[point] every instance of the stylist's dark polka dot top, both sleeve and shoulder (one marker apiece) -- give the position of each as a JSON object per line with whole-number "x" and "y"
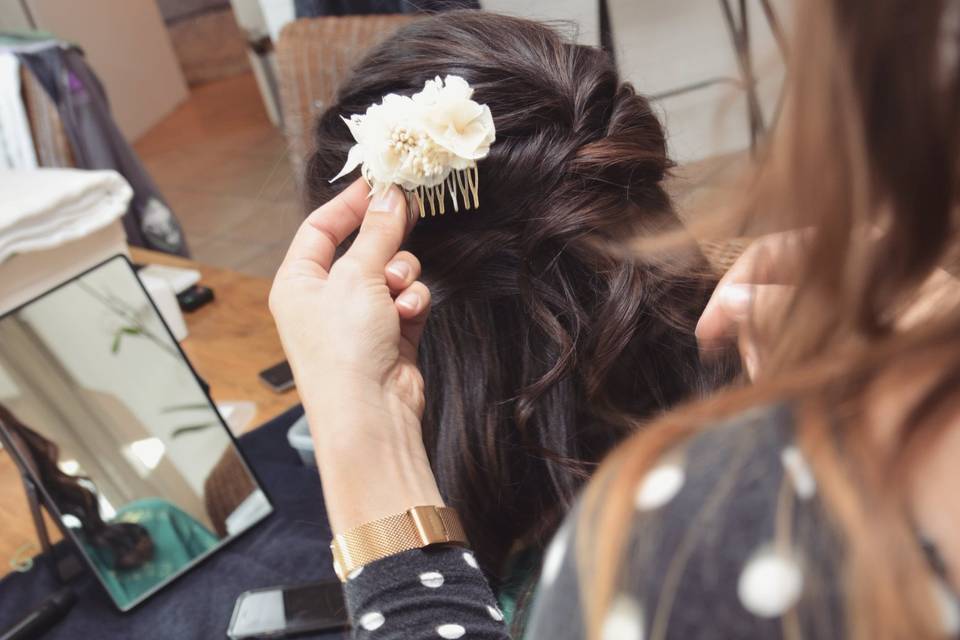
{"x": 729, "y": 541}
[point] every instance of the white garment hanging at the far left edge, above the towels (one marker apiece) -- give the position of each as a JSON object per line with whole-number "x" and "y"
{"x": 16, "y": 140}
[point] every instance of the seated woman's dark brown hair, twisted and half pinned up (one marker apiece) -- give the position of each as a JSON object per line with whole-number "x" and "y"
{"x": 543, "y": 349}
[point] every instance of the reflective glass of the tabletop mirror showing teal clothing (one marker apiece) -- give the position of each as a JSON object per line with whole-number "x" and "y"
{"x": 101, "y": 406}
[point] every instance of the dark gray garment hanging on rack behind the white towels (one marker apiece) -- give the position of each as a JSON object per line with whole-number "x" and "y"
{"x": 98, "y": 144}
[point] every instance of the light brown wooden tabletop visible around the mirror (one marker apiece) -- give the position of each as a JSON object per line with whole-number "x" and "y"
{"x": 230, "y": 340}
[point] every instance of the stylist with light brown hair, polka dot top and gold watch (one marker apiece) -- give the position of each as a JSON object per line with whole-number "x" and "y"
{"x": 816, "y": 503}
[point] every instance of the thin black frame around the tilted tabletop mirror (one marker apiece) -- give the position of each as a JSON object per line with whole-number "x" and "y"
{"x": 51, "y": 506}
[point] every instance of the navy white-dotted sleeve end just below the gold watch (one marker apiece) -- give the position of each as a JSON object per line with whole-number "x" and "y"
{"x": 424, "y": 593}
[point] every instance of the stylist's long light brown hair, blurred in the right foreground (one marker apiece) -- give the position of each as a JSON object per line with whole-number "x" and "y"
{"x": 866, "y": 164}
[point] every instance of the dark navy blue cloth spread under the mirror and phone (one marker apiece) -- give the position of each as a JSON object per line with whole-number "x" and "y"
{"x": 290, "y": 547}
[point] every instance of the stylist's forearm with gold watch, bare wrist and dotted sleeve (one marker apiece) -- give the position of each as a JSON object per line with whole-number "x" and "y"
{"x": 373, "y": 465}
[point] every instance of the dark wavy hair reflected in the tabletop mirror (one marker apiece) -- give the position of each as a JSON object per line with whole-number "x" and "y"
{"x": 128, "y": 544}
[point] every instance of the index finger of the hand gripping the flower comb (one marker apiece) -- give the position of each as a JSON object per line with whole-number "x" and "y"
{"x": 318, "y": 237}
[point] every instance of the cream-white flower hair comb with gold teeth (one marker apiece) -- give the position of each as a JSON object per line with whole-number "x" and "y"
{"x": 428, "y": 144}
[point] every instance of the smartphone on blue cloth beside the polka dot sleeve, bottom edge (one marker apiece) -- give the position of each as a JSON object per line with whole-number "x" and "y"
{"x": 281, "y": 612}
